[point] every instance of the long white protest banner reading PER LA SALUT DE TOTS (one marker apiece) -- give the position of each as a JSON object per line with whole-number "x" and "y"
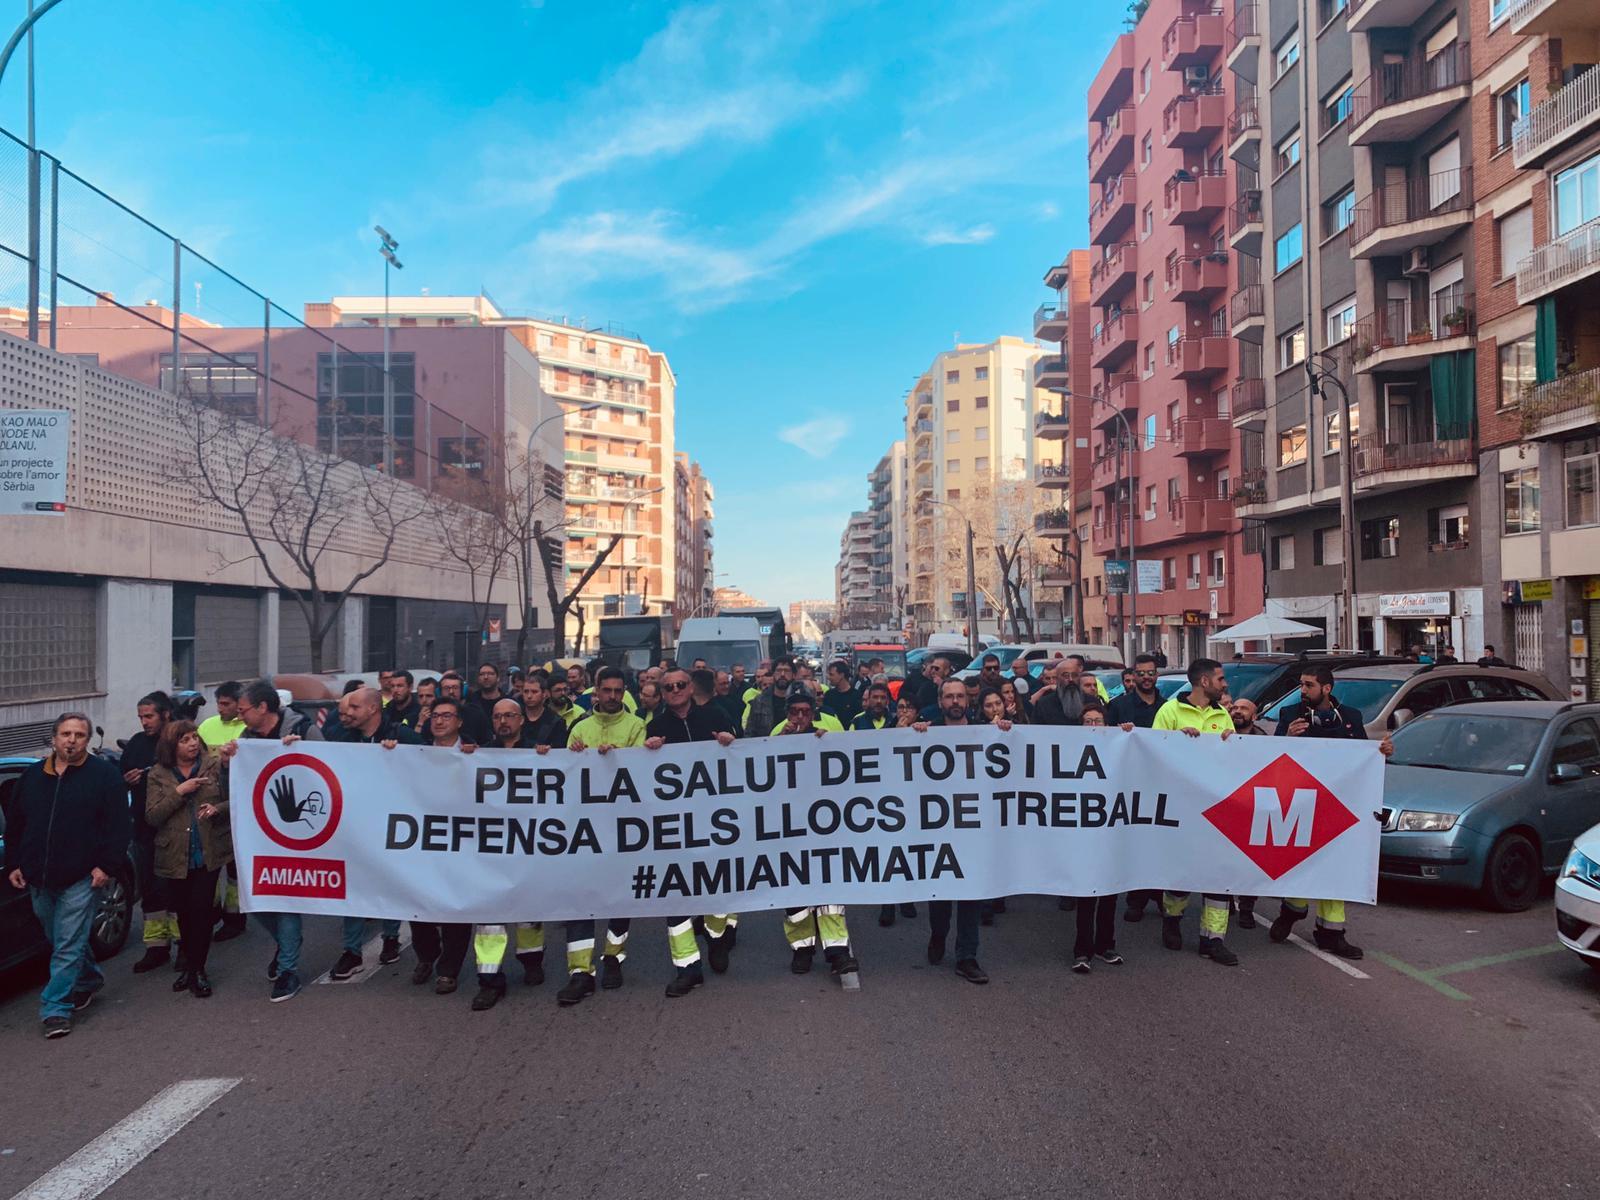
{"x": 866, "y": 818}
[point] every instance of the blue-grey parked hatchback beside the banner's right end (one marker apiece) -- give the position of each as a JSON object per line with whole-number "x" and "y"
{"x": 1490, "y": 796}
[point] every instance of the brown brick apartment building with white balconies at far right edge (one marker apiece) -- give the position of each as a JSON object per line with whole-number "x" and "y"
{"x": 1537, "y": 142}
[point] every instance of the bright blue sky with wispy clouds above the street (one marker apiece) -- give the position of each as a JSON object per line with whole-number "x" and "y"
{"x": 799, "y": 202}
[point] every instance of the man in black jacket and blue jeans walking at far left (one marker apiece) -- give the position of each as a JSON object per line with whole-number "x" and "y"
{"x": 66, "y": 836}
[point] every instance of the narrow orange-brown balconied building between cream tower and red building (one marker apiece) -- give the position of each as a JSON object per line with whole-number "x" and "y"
{"x": 1070, "y": 566}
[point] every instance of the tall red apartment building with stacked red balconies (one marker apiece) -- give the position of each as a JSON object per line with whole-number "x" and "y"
{"x": 1164, "y": 462}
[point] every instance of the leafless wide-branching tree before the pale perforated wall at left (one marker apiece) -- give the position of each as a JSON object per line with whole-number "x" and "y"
{"x": 318, "y": 526}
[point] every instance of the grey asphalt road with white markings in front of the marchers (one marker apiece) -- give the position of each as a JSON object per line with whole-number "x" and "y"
{"x": 1457, "y": 1066}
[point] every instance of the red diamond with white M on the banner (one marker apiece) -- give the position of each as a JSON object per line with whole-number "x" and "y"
{"x": 1281, "y": 817}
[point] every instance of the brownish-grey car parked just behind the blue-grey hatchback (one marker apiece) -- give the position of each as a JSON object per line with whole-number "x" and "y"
{"x": 1393, "y": 694}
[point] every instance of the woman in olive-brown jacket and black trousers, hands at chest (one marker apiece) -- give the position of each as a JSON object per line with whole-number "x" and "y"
{"x": 193, "y": 841}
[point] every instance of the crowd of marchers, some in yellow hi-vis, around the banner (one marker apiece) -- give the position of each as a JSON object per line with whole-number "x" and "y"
{"x": 71, "y": 822}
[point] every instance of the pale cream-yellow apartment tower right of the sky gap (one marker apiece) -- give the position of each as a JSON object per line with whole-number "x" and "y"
{"x": 972, "y": 454}
